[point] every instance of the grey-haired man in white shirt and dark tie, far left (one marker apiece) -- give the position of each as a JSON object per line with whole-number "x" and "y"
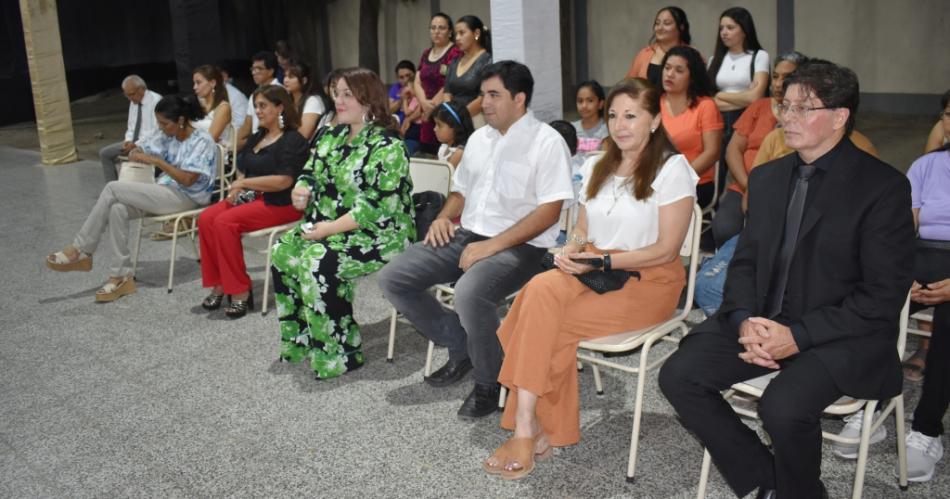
{"x": 141, "y": 124}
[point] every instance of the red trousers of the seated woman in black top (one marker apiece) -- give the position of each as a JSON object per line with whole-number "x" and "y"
{"x": 219, "y": 232}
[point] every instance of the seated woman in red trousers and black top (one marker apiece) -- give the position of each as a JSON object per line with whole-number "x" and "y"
{"x": 267, "y": 166}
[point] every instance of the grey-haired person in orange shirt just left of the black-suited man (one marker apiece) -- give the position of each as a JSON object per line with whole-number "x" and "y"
{"x": 760, "y": 118}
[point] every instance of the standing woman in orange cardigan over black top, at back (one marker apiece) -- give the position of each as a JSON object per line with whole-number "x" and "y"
{"x": 670, "y": 28}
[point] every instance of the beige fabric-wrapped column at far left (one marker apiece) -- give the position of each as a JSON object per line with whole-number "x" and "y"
{"x": 44, "y": 52}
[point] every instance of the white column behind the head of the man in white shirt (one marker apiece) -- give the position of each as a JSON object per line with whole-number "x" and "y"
{"x": 528, "y": 31}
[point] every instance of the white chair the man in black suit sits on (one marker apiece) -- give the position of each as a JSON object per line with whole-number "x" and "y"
{"x": 844, "y": 406}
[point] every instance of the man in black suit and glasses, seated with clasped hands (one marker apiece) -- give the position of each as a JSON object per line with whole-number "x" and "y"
{"x": 815, "y": 289}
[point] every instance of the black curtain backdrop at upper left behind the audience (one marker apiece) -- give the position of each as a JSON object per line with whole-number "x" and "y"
{"x": 162, "y": 41}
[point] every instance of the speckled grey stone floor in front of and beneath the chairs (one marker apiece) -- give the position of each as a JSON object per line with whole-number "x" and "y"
{"x": 152, "y": 397}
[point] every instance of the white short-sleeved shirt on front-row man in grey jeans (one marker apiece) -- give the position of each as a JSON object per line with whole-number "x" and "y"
{"x": 505, "y": 177}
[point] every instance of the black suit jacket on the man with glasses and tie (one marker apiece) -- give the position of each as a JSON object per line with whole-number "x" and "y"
{"x": 850, "y": 272}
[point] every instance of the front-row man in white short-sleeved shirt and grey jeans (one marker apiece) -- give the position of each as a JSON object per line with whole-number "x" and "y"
{"x": 508, "y": 189}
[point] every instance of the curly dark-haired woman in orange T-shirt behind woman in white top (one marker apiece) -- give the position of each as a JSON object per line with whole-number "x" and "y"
{"x": 690, "y": 116}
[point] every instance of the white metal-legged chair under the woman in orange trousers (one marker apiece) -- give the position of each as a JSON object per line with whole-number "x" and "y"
{"x": 644, "y": 339}
